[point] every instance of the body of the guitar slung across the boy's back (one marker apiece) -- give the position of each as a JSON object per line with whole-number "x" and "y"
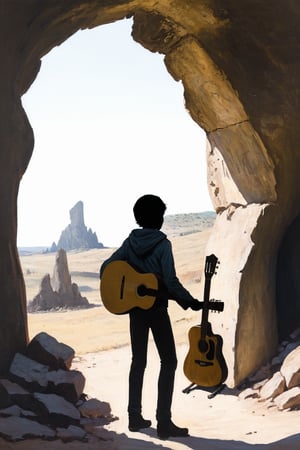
{"x": 119, "y": 288}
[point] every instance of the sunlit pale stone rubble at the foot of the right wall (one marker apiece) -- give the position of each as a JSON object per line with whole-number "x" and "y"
{"x": 278, "y": 382}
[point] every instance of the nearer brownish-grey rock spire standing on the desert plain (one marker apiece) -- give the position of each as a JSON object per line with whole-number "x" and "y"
{"x": 62, "y": 293}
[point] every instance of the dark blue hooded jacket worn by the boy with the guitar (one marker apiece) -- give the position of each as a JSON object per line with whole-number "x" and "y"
{"x": 149, "y": 251}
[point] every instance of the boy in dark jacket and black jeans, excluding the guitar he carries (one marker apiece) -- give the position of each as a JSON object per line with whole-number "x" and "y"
{"x": 148, "y": 250}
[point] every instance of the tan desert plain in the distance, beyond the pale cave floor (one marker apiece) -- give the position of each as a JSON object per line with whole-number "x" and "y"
{"x": 98, "y": 330}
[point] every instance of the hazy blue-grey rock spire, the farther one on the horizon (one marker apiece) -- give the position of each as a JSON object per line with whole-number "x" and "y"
{"x": 76, "y": 235}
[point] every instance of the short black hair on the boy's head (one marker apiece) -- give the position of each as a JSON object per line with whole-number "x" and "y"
{"x": 149, "y": 211}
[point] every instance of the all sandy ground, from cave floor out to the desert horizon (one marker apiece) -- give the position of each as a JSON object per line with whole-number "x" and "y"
{"x": 101, "y": 343}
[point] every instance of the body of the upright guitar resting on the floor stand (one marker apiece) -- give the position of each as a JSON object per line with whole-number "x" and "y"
{"x": 204, "y": 364}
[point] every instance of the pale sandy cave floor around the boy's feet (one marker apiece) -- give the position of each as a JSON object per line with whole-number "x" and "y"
{"x": 224, "y": 422}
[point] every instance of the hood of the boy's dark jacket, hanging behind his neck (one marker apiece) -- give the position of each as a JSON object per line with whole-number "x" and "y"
{"x": 143, "y": 240}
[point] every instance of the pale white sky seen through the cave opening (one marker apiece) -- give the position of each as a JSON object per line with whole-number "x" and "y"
{"x": 110, "y": 125}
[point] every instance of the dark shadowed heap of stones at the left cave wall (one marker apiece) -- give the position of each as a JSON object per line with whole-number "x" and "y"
{"x": 43, "y": 397}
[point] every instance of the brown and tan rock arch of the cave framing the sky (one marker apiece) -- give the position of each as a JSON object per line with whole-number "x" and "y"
{"x": 240, "y": 69}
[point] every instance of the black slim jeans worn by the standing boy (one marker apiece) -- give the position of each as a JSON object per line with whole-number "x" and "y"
{"x": 157, "y": 320}
